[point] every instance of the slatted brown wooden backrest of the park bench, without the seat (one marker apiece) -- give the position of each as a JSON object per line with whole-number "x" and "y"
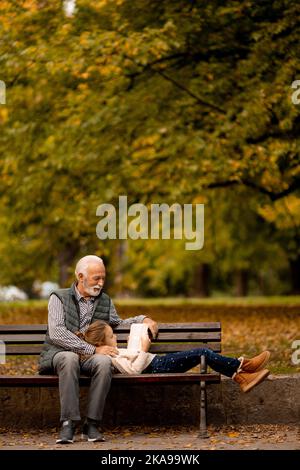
{"x": 172, "y": 337}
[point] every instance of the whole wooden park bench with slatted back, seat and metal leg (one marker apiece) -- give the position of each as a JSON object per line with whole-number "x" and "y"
{"x": 172, "y": 337}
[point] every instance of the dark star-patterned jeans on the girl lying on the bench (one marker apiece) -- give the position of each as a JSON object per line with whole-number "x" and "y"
{"x": 184, "y": 360}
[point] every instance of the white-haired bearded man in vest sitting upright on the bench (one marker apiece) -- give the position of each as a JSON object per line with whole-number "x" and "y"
{"x": 69, "y": 311}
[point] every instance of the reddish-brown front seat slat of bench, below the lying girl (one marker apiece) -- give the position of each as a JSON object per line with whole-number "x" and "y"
{"x": 50, "y": 380}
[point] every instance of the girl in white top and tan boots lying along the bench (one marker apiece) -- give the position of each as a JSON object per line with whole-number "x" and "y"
{"x": 246, "y": 372}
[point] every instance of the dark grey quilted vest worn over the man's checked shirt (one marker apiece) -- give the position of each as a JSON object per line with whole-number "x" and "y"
{"x": 71, "y": 310}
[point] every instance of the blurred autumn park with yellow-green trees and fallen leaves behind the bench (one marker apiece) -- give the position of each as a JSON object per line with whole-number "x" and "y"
{"x": 165, "y": 102}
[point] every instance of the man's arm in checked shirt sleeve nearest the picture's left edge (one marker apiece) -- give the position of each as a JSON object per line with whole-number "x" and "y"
{"x": 58, "y": 332}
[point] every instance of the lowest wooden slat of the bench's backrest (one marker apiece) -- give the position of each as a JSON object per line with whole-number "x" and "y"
{"x": 30, "y": 350}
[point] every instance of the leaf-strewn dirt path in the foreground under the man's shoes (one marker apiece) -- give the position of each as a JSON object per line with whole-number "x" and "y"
{"x": 238, "y": 437}
